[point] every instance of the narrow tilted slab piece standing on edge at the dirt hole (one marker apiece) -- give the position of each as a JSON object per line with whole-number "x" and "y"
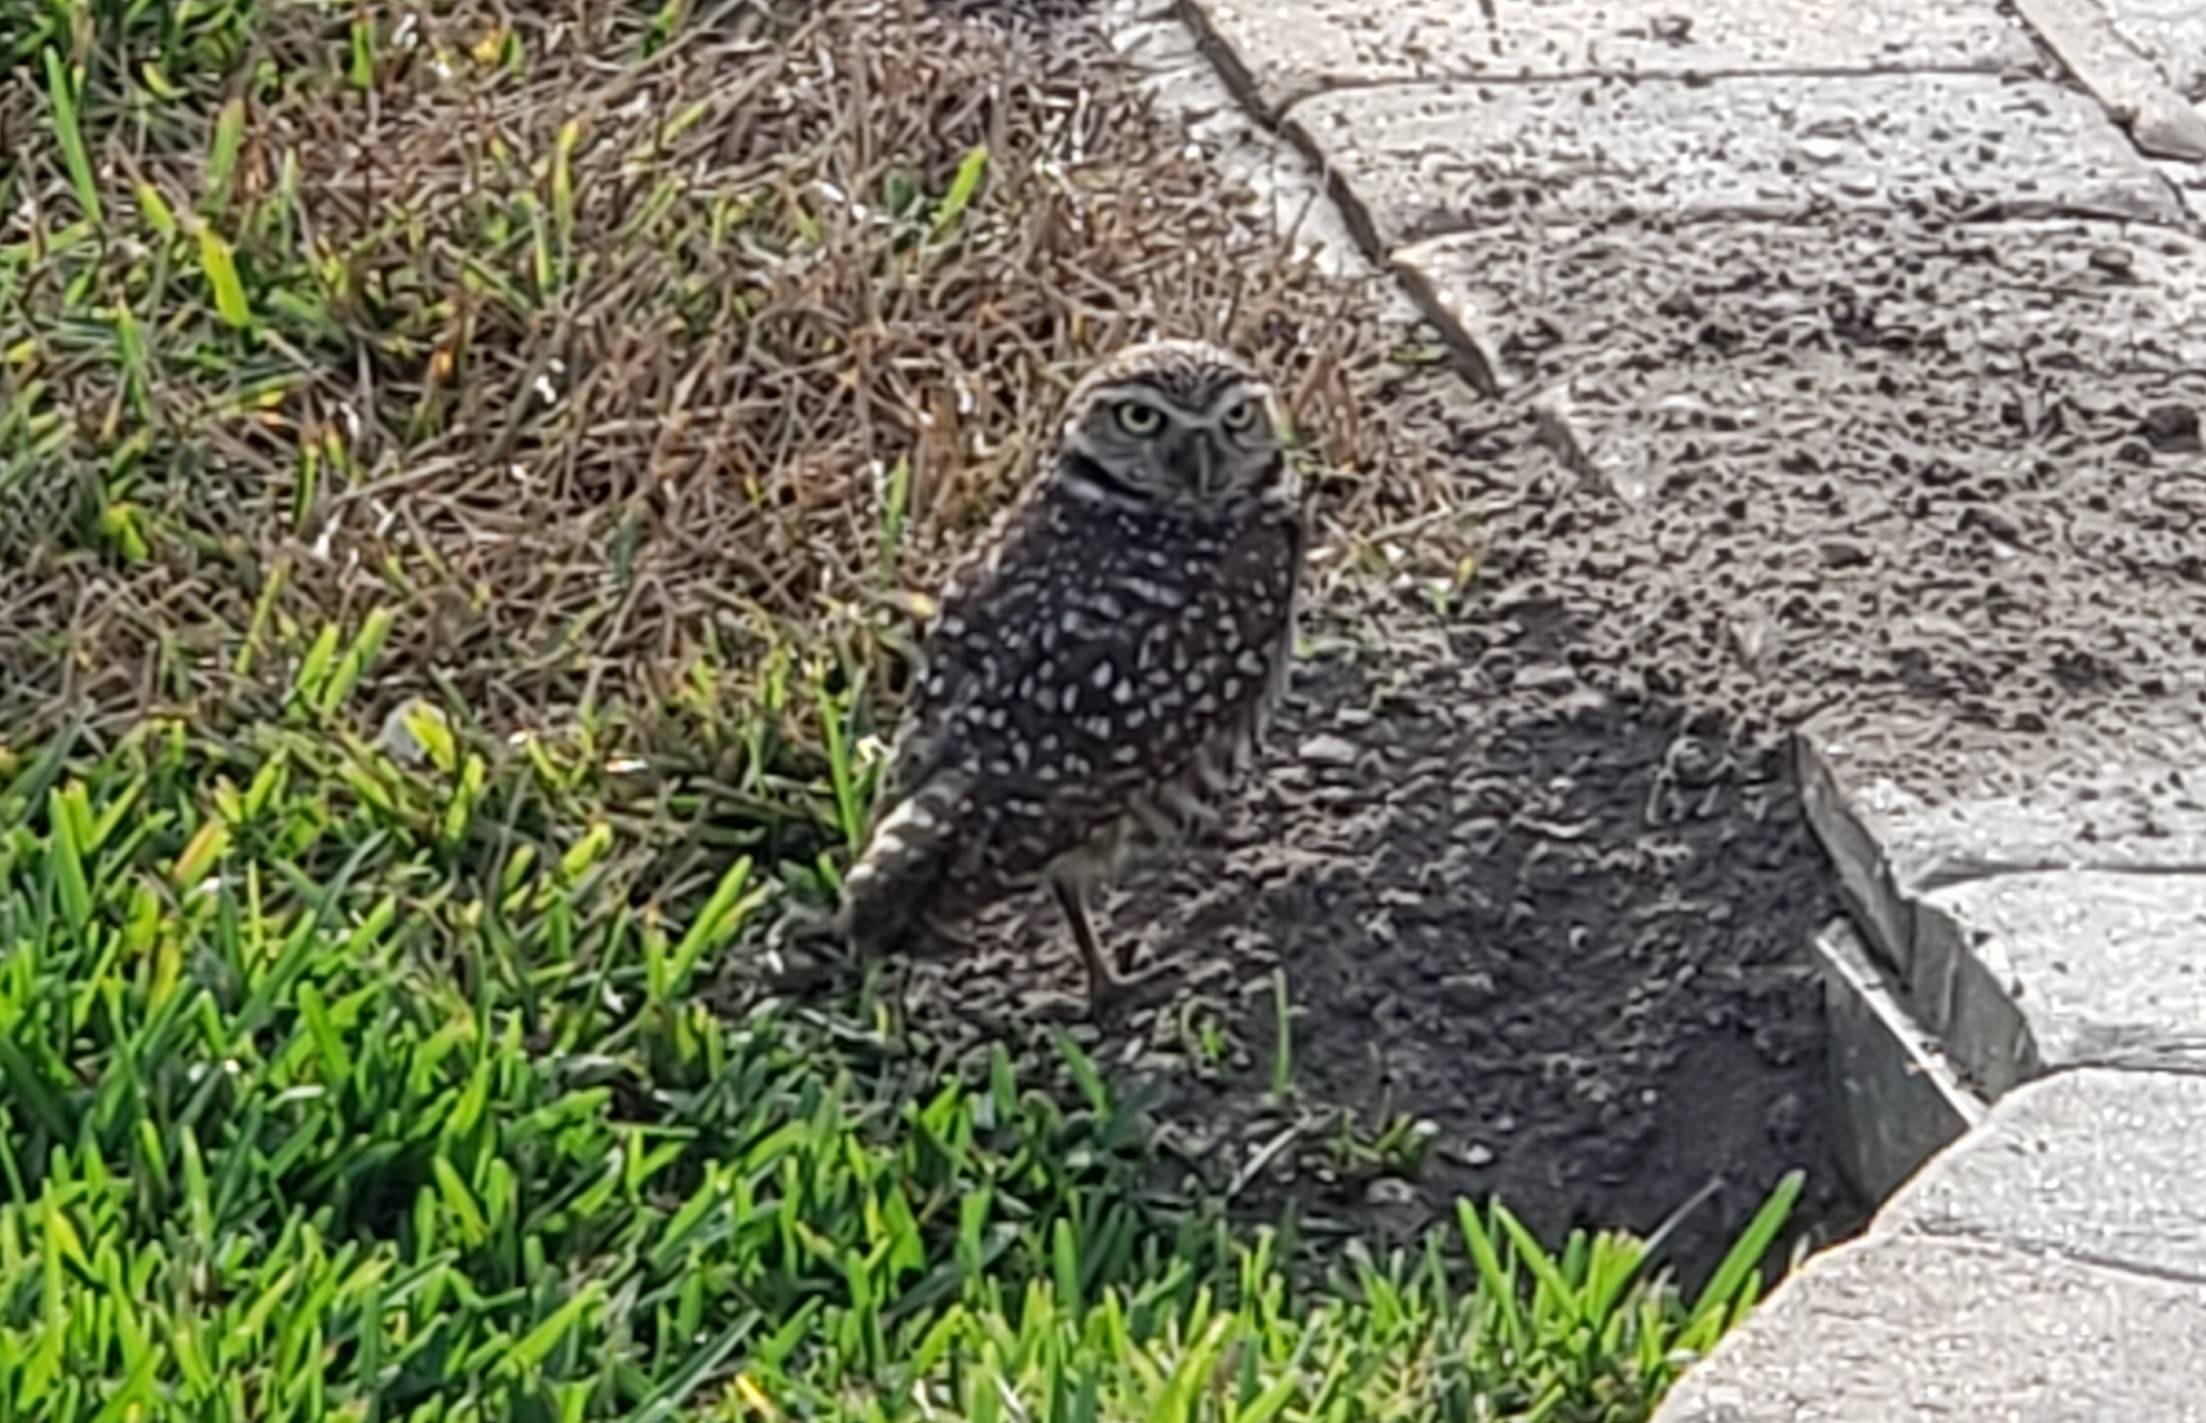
{"x": 1898, "y": 1102}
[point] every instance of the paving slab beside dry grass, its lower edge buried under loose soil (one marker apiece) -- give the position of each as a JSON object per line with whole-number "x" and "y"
{"x": 2004, "y": 297}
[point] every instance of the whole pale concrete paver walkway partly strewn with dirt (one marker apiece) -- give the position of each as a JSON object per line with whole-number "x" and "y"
{"x": 2020, "y": 1007}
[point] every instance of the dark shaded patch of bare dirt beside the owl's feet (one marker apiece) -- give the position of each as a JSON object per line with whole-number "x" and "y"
{"x": 1561, "y": 928}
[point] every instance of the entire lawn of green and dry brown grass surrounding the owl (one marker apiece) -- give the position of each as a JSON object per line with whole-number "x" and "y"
{"x": 396, "y": 760}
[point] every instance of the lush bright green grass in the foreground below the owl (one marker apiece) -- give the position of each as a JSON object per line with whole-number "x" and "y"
{"x": 308, "y": 1115}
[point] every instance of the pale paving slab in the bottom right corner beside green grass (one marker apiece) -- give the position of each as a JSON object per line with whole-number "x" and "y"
{"x": 1900, "y": 1327}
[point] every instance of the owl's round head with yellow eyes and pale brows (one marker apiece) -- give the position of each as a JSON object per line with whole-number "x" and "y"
{"x": 1175, "y": 420}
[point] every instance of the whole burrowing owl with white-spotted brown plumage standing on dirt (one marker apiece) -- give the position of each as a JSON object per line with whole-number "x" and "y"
{"x": 1100, "y": 672}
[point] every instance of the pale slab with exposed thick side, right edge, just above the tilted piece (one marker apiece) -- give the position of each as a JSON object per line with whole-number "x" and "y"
{"x": 2059, "y": 970}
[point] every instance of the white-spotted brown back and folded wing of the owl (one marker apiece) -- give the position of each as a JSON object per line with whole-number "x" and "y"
{"x": 1073, "y": 674}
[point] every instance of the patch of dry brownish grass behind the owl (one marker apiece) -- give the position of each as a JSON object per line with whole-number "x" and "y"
{"x": 597, "y": 352}
